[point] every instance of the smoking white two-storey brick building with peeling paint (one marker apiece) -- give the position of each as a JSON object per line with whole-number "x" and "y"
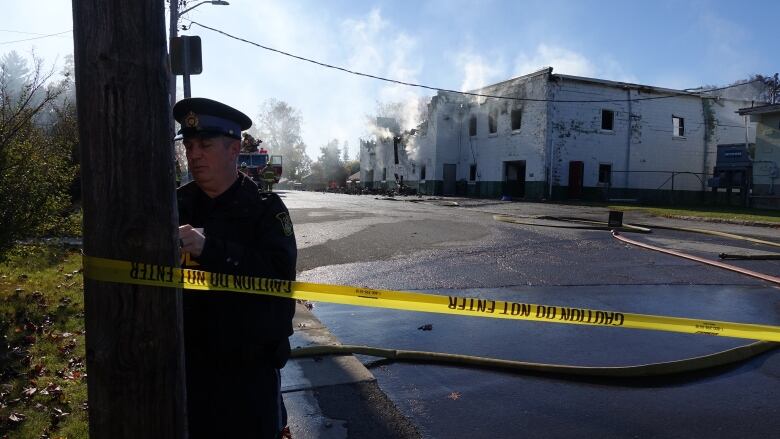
{"x": 562, "y": 137}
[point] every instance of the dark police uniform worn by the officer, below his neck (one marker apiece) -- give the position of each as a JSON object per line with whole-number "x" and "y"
{"x": 236, "y": 343}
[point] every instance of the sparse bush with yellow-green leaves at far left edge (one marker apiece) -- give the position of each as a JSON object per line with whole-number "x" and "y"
{"x": 36, "y": 154}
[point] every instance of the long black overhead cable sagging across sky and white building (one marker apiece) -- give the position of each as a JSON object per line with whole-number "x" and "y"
{"x": 427, "y": 87}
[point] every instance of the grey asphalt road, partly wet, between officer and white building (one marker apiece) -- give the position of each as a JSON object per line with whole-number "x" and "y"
{"x": 435, "y": 246}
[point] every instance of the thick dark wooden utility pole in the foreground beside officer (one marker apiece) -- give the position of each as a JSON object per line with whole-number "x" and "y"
{"x": 135, "y": 362}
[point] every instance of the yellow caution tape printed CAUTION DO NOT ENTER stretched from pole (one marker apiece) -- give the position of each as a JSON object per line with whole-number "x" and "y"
{"x": 137, "y": 273}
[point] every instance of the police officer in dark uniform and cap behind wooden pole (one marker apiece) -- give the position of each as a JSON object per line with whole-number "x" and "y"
{"x": 235, "y": 343}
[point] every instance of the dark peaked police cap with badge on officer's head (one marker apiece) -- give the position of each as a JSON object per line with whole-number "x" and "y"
{"x": 206, "y": 117}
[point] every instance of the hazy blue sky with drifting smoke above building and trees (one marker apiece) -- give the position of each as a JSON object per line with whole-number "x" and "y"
{"x": 446, "y": 43}
